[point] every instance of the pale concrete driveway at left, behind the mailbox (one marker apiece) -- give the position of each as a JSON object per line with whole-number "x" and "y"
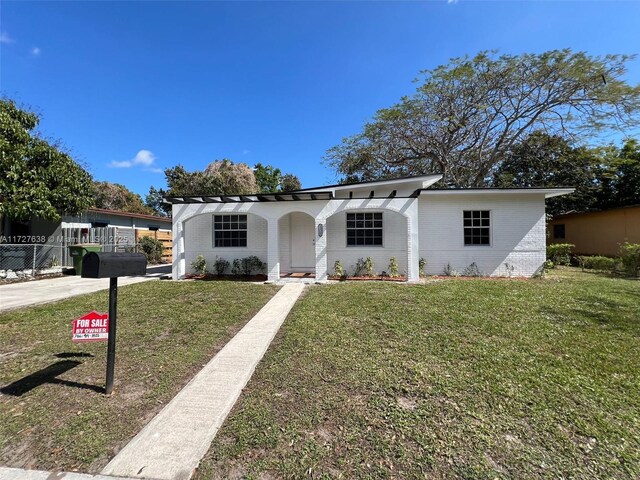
{"x": 35, "y": 292}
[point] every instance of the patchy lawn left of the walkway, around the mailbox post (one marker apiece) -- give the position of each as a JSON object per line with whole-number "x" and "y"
{"x": 166, "y": 332}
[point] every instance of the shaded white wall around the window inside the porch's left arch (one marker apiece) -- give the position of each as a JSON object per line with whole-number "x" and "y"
{"x": 199, "y": 241}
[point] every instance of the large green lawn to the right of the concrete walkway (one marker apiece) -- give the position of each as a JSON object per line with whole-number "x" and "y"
{"x": 452, "y": 379}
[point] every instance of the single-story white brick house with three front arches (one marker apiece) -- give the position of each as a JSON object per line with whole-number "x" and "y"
{"x": 501, "y": 230}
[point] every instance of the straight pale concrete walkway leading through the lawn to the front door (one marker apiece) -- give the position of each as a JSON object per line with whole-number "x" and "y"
{"x": 171, "y": 446}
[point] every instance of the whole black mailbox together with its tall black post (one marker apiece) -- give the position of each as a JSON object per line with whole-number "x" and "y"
{"x": 112, "y": 266}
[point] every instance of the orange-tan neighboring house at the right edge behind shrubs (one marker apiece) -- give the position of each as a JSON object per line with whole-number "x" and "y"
{"x": 597, "y": 233}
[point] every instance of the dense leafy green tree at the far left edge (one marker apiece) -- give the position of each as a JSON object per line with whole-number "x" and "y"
{"x": 37, "y": 178}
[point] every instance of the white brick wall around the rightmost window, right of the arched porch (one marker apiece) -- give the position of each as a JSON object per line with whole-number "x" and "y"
{"x": 517, "y": 230}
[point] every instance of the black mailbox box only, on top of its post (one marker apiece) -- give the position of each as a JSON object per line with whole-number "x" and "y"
{"x": 110, "y": 265}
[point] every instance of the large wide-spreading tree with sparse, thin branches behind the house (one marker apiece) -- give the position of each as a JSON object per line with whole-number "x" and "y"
{"x": 465, "y": 116}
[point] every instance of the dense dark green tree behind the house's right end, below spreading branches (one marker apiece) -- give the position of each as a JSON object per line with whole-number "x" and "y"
{"x": 543, "y": 160}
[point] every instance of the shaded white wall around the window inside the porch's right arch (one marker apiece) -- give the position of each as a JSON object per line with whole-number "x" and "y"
{"x": 394, "y": 243}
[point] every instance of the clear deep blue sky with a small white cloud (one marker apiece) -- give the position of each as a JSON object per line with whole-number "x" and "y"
{"x": 134, "y": 87}
